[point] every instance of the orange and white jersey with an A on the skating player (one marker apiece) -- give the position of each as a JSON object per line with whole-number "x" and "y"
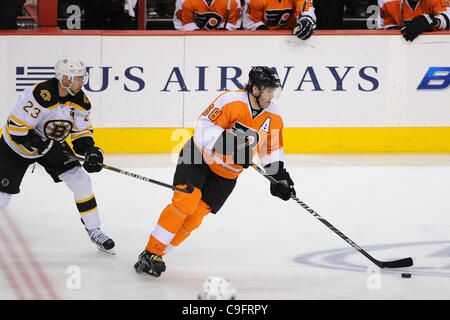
{"x": 232, "y": 109}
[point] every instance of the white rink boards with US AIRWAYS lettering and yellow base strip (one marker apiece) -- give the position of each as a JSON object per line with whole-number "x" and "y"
{"x": 342, "y": 92}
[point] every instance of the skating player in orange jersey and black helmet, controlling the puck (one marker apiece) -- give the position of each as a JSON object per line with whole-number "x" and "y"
{"x": 233, "y": 127}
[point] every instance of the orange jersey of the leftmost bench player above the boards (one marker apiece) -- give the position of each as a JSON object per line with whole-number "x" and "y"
{"x": 207, "y": 15}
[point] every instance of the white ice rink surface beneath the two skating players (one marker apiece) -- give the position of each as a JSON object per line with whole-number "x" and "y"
{"x": 394, "y": 206}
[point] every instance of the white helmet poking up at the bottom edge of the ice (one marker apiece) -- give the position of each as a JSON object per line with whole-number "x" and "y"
{"x": 217, "y": 288}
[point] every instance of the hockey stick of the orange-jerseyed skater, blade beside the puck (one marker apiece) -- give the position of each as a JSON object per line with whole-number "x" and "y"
{"x": 401, "y": 263}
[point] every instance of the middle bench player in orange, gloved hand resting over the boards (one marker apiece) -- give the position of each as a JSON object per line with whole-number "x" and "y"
{"x": 296, "y": 15}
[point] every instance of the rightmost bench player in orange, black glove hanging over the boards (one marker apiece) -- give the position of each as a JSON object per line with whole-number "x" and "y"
{"x": 415, "y": 16}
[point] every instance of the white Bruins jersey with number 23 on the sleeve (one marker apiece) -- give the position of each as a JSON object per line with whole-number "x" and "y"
{"x": 41, "y": 109}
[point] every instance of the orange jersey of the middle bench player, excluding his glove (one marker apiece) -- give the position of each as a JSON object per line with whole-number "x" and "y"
{"x": 275, "y": 14}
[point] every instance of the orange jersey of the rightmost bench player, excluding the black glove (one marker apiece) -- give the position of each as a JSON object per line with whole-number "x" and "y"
{"x": 391, "y": 13}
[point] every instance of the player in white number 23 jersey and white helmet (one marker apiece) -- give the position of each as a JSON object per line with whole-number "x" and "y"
{"x": 36, "y": 131}
